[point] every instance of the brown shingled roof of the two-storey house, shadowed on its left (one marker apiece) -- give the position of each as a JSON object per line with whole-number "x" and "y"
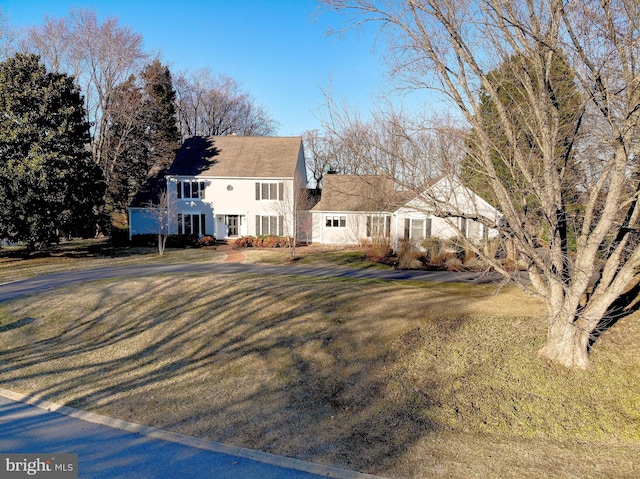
{"x": 238, "y": 156}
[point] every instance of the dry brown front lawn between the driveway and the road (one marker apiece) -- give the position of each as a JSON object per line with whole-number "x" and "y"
{"x": 394, "y": 379}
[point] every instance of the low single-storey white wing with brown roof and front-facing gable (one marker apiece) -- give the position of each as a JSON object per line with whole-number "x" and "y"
{"x": 354, "y": 209}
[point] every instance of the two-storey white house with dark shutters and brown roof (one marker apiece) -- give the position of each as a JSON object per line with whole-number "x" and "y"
{"x": 225, "y": 186}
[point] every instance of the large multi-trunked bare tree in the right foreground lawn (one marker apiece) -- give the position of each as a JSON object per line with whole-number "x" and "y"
{"x": 452, "y": 46}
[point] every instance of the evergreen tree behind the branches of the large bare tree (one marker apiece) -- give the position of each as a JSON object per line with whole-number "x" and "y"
{"x": 513, "y": 87}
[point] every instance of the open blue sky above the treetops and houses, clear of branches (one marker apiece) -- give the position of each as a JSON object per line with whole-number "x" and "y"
{"x": 275, "y": 49}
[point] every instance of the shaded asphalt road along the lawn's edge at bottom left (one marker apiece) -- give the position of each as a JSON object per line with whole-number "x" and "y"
{"x": 114, "y": 452}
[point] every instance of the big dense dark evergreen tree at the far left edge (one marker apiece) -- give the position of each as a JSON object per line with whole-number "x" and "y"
{"x": 49, "y": 185}
